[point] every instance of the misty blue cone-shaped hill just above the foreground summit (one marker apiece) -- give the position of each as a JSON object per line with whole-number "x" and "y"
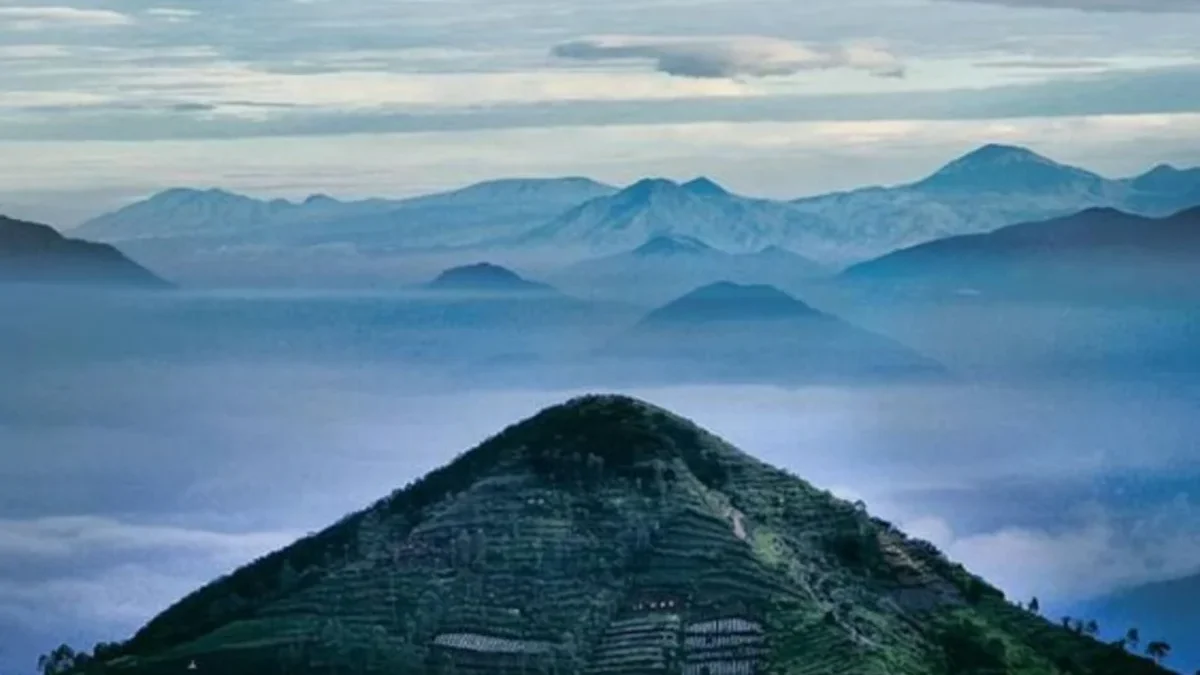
{"x": 757, "y": 333}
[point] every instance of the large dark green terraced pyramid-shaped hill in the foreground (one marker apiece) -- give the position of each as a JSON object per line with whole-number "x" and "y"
{"x": 608, "y": 536}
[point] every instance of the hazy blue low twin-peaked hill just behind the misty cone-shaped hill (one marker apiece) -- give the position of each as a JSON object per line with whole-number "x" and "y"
{"x": 669, "y": 266}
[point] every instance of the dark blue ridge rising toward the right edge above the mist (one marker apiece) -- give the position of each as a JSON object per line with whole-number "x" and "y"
{"x": 1100, "y": 252}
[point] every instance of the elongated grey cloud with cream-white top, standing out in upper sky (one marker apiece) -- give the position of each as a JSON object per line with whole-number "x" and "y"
{"x": 733, "y": 56}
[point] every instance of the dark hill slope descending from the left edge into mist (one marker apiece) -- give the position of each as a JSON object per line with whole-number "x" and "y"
{"x": 37, "y": 254}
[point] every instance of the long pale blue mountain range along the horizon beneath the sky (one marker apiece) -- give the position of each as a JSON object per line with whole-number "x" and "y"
{"x": 575, "y": 218}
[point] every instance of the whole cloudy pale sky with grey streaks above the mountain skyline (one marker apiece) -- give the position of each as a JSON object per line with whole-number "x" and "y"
{"x": 107, "y": 100}
